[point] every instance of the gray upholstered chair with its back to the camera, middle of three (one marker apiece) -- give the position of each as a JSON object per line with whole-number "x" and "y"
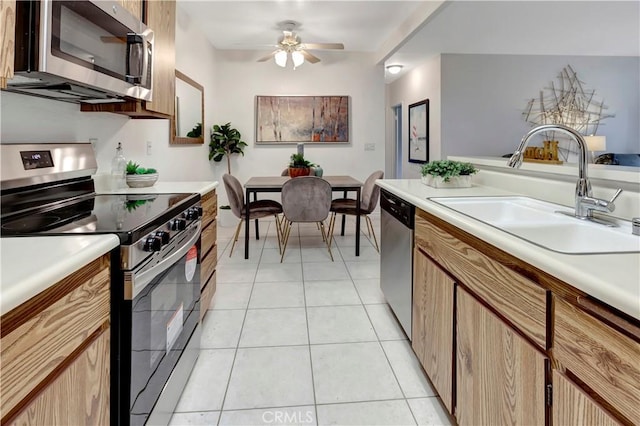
{"x": 305, "y": 199}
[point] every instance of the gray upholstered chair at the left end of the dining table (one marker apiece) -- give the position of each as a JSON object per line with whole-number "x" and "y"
{"x": 257, "y": 209}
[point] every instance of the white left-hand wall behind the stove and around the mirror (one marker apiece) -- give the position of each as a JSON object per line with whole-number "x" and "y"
{"x": 30, "y": 119}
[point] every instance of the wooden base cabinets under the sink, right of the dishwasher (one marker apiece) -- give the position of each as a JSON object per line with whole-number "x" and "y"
{"x": 528, "y": 348}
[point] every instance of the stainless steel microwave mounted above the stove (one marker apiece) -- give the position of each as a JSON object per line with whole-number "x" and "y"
{"x": 81, "y": 51}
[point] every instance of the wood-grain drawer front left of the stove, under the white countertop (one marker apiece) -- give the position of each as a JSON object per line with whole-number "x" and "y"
{"x": 39, "y": 335}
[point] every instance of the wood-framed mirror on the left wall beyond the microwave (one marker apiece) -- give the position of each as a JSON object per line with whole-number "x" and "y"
{"x": 188, "y": 122}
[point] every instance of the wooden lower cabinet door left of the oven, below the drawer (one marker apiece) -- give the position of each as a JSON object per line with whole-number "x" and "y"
{"x": 79, "y": 395}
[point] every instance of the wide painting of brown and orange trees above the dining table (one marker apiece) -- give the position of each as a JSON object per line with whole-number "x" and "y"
{"x": 308, "y": 119}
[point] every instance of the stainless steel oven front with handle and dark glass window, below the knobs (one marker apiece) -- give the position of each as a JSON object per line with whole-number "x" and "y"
{"x": 163, "y": 343}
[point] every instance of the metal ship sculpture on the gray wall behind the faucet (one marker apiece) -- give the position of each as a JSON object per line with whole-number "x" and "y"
{"x": 569, "y": 103}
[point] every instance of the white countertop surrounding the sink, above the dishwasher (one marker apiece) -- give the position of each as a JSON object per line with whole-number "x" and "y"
{"x": 612, "y": 278}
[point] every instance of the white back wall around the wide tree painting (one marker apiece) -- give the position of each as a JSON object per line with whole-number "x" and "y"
{"x": 239, "y": 79}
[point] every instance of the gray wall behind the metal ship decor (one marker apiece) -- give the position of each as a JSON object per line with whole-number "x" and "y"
{"x": 483, "y": 96}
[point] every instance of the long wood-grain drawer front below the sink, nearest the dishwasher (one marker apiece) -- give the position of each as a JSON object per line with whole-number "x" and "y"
{"x": 519, "y": 300}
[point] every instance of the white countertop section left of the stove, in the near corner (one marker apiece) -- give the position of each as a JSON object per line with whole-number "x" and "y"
{"x": 32, "y": 264}
